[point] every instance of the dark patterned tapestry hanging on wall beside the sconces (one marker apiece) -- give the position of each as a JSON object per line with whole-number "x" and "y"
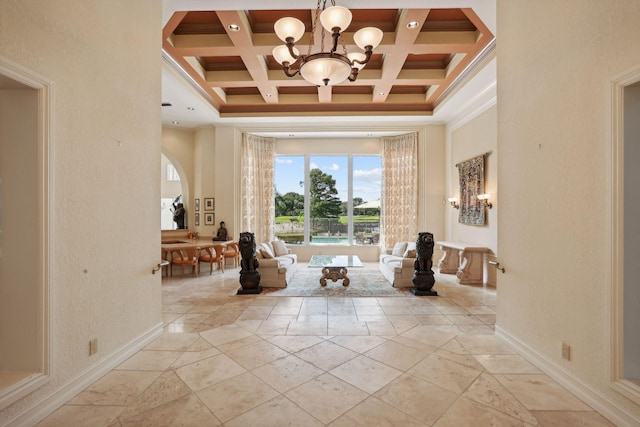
{"x": 471, "y": 173}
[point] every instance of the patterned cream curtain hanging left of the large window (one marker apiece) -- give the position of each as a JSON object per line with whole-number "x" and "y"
{"x": 258, "y": 187}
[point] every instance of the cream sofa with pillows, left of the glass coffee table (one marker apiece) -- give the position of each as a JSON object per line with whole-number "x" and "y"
{"x": 277, "y": 264}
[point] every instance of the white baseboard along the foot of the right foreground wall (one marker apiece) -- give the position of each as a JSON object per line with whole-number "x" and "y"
{"x": 601, "y": 403}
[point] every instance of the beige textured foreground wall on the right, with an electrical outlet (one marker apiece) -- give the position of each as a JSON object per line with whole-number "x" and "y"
{"x": 554, "y": 140}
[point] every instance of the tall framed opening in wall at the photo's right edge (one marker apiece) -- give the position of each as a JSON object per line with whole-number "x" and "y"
{"x": 626, "y": 234}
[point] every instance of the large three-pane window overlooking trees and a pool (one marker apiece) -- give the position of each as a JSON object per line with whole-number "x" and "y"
{"x": 324, "y": 199}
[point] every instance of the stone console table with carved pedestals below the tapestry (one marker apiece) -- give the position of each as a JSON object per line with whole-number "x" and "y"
{"x": 463, "y": 260}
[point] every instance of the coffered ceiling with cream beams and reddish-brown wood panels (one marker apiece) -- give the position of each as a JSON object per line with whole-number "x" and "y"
{"x": 411, "y": 73}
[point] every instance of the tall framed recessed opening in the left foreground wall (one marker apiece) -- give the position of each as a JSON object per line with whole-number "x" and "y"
{"x": 24, "y": 229}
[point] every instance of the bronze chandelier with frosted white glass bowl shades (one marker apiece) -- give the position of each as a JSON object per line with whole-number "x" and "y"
{"x": 325, "y": 68}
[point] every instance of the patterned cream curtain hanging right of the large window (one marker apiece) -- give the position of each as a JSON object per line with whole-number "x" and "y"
{"x": 398, "y": 215}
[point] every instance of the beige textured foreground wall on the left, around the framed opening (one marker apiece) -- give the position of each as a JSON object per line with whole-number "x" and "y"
{"x": 104, "y": 61}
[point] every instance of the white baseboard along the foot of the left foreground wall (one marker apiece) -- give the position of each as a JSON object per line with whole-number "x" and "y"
{"x": 47, "y": 405}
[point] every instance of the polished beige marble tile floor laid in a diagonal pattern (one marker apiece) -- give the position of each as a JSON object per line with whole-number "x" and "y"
{"x": 260, "y": 360}
